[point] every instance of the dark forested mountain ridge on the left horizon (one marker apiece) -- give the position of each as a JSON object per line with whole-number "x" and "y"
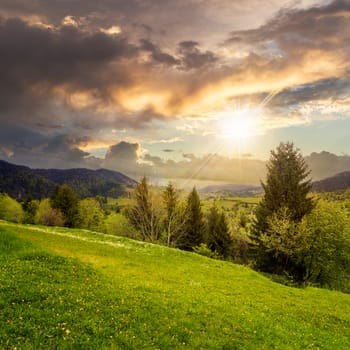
{"x": 20, "y": 181}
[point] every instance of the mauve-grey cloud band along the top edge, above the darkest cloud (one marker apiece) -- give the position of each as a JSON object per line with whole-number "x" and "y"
{"x": 163, "y": 16}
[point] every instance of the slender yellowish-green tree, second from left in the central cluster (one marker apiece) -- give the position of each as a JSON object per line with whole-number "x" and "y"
{"x": 174, "y": 220}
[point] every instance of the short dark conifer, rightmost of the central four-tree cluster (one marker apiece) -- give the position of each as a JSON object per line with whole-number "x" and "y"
{"x": 219, "y": 239}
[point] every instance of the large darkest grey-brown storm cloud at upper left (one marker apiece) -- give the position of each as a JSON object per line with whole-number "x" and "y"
{"x": 33, "y": 58}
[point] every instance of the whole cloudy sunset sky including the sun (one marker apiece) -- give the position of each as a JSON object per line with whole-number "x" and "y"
{"x": 186, "y": 90}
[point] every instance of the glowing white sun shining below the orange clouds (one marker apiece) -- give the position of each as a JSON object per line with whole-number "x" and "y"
{"x": 237, "y": 125}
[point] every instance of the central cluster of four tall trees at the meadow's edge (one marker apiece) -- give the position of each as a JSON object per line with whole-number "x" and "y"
{"x": 165, "y": 218}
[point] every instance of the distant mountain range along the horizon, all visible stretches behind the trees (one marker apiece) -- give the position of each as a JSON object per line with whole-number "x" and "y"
{"x": 21, "y": 181}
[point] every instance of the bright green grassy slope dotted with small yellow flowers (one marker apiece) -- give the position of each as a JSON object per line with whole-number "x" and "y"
{"x": 76, "y": 289}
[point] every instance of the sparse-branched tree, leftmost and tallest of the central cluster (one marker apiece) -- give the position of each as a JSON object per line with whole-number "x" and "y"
{"x": 145, "y": 214}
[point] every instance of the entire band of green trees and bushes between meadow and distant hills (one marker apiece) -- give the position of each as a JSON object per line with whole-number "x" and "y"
{"x": 292, "y": 232}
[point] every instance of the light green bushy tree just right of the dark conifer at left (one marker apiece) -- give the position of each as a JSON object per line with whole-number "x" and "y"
{"x": 91, "y": 215}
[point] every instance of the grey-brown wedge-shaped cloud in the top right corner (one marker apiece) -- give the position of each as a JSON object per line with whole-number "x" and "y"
{"x": 293, "y": 30}
